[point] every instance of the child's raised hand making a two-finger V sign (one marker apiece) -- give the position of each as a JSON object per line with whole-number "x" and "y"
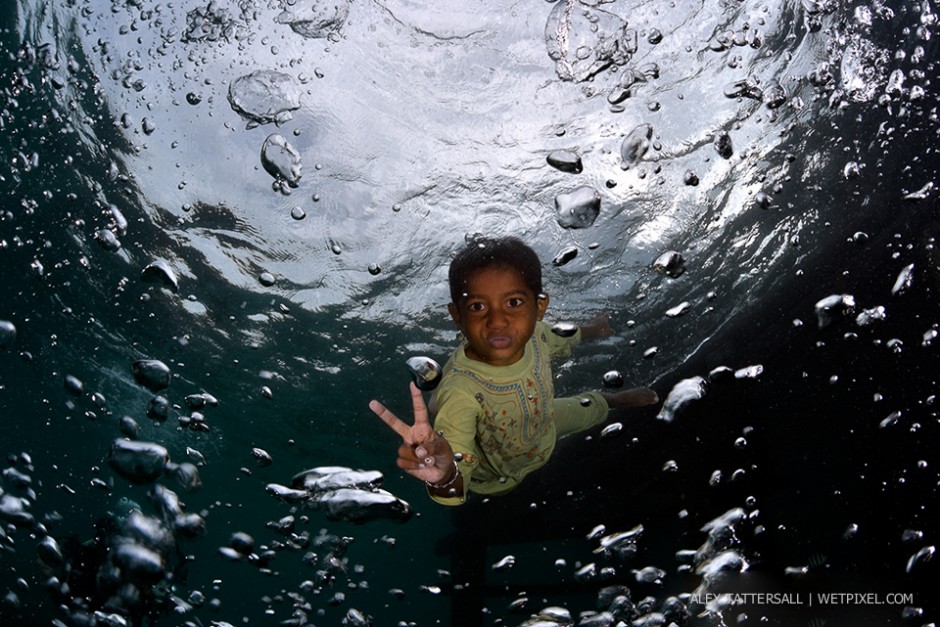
{"x": 423, "y": 454}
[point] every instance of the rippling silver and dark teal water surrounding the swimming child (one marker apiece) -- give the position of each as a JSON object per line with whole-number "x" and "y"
{"x": 416, "y": 125}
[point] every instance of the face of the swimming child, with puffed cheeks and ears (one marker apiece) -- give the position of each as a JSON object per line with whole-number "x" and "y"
{"x": 497, "y": 316}
